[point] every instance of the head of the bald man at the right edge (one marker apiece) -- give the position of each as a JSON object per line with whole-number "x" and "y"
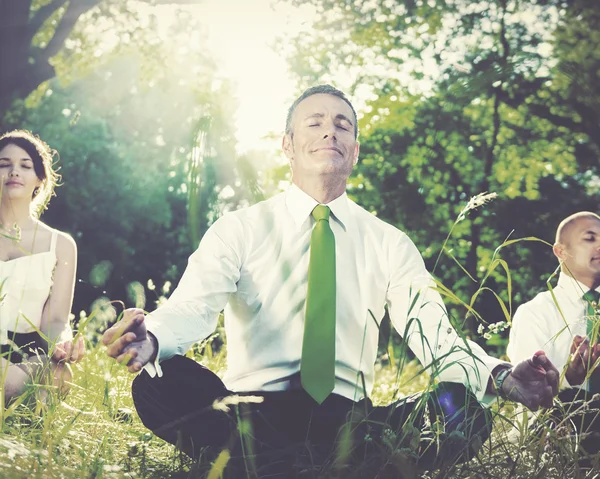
{"x": 579, "y": 249}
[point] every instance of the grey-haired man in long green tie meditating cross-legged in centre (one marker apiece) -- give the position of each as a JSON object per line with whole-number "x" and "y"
{"x": 253, "y": 264}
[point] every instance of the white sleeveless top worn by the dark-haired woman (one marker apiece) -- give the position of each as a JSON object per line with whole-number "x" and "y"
{"x": 25, "y": 284}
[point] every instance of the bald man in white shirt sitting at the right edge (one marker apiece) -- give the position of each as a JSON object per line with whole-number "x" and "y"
{"x": 559, "y": 321}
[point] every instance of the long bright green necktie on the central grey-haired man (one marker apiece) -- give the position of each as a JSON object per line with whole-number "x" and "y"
{"x": 317, "y": 367}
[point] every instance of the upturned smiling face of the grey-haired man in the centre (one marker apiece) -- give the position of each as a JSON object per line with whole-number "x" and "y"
{"x": 322, "y": 140}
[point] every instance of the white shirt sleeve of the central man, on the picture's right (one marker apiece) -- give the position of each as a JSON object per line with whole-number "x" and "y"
{"x": 419, "y": 315}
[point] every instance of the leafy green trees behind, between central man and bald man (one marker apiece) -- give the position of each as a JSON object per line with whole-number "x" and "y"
{"x": 463, "y": 98}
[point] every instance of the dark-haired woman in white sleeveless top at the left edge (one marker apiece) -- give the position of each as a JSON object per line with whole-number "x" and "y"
{"x": 37, "y": 272}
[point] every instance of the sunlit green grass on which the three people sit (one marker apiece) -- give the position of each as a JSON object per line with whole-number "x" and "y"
{"x": 96, "y": 433}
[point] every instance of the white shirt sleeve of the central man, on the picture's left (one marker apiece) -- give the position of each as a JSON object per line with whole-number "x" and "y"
{"x": 192, "y": 311}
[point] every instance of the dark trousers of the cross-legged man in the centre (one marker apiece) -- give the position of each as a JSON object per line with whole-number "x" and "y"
{"x": 189, "y": 406}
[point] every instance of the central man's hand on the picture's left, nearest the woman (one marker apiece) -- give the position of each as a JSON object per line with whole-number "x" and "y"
{"x": 129, "y": 342}
